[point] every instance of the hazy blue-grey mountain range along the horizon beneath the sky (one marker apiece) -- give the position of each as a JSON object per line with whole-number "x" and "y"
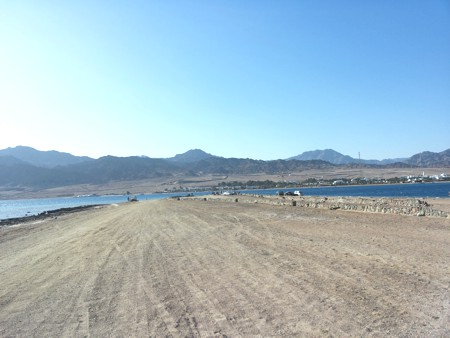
{"x": 28, "y": 167}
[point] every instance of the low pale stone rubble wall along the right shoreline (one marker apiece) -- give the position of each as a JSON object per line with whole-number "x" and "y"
{"x": 398, "y": 206}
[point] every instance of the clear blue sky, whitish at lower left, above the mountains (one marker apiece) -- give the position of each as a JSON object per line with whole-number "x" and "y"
{"x": 236, "y": 78}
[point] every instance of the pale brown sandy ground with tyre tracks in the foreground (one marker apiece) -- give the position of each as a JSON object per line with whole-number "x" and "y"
{"x": 210, "y": 268}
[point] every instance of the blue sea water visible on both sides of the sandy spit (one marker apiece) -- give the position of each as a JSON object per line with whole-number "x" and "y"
{"x": 24, "y": 207}
